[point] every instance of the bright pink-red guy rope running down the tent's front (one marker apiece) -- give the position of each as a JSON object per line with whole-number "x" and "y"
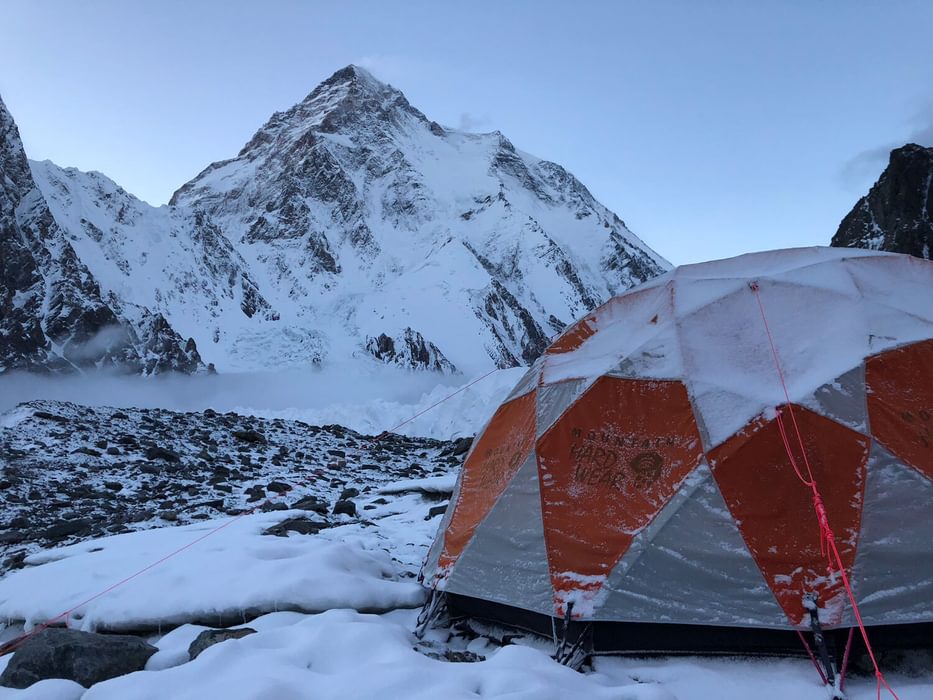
{"x": 827, "y": 537}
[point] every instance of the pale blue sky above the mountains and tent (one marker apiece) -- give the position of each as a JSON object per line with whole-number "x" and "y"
{"x": 711, "y": 128}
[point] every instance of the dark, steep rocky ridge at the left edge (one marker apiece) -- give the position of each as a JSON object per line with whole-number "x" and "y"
{"x": 53, "y": 313}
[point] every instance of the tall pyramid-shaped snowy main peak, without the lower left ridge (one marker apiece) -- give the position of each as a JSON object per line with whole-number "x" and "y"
{"x": 360, "y": 217}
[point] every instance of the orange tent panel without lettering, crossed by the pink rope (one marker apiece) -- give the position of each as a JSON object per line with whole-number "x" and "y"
{"x": 774, "y": 509}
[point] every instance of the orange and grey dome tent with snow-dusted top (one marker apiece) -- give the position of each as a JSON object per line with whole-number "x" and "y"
{"x": 638, "y": 470}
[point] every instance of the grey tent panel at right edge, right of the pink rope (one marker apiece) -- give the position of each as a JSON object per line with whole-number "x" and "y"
{"x": 892, "y": 576}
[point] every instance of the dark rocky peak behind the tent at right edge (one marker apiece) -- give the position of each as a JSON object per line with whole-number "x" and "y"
{"x": 897, "y": 213}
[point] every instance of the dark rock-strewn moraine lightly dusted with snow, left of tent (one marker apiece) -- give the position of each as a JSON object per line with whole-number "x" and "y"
{"x": 73, "y": 473}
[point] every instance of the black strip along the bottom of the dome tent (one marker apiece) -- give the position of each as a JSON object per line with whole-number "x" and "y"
{"x": 642, "y": 638}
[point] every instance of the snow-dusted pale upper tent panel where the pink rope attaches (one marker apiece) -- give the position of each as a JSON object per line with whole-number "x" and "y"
{"x": 728, "y": 362}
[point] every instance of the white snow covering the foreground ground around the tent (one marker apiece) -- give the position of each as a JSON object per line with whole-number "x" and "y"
{"x": 340, "y": 608}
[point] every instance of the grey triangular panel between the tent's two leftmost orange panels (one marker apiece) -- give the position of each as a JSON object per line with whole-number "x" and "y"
{"x": 506, "y": 560}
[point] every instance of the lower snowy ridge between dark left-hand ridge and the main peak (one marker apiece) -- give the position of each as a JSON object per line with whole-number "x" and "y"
{"x": 171, "y": 259}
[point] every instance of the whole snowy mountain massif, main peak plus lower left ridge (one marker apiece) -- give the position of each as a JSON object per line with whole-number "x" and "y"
{"x": 351, "y": 222}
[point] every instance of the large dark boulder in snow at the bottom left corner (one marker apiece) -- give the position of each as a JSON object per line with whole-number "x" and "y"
{"x": 82, "y": 657}
